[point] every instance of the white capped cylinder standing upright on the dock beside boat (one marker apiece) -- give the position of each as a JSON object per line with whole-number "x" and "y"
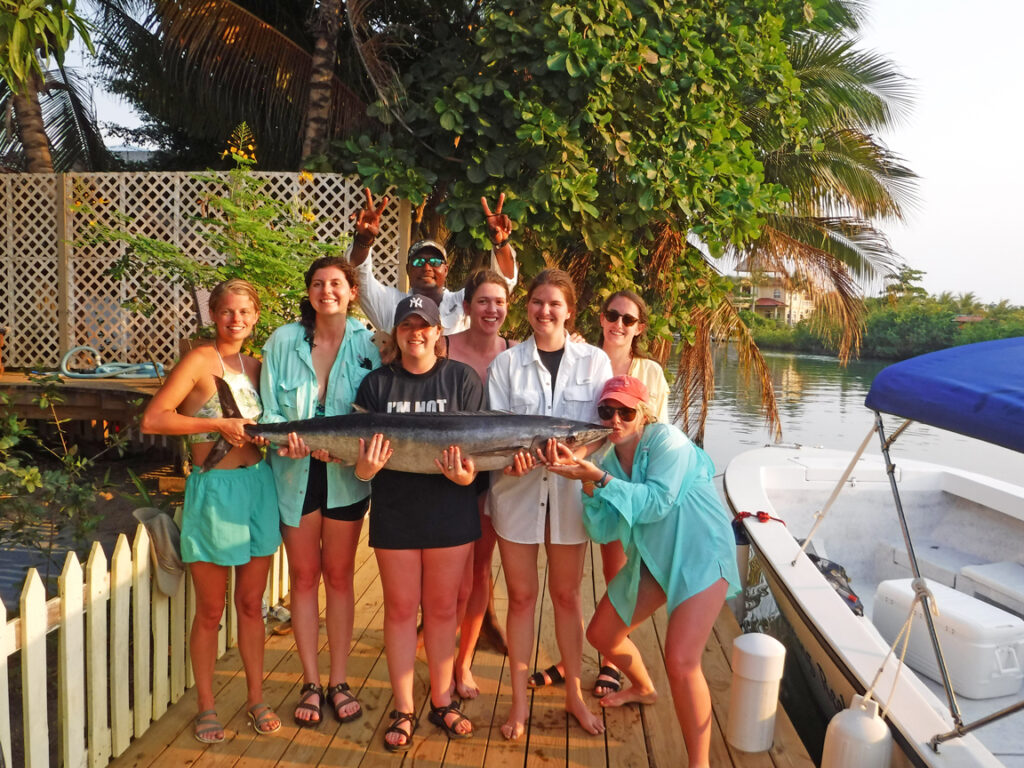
{"x": 757, "y": 669}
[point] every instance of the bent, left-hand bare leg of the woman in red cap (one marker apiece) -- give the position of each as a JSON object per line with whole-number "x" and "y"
{"x": 610, "y": 635}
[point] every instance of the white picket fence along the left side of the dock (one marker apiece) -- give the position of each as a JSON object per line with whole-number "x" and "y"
{"x": 122, "y": 655}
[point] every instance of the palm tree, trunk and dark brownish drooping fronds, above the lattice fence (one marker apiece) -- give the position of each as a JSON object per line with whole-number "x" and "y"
{"x": 205, "y": 66}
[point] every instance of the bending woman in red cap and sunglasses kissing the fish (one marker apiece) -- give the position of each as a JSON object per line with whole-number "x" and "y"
{"x": 653, "y": 491}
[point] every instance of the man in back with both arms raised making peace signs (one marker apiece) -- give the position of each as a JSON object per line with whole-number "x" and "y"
{"x": 428, "y": 267}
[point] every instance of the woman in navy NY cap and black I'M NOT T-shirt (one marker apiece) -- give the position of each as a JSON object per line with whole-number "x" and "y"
{"x": 422, "y": 527}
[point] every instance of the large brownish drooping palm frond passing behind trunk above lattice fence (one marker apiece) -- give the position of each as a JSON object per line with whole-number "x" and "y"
{"x": 227, "y": 66}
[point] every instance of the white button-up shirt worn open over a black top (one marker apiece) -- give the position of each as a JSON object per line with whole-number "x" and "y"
{"x": 519, "y": 381}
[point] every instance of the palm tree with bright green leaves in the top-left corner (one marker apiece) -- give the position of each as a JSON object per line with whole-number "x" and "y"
{"x": 32, "y": 36}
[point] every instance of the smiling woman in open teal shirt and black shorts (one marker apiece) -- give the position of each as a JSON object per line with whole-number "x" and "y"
{"x": 314, "y": 368}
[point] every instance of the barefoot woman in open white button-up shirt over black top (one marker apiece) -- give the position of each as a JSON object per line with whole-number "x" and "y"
{"x": 549, "y": 375}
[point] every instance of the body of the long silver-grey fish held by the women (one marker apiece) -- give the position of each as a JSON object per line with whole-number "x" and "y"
{"x": 490, "y": 439}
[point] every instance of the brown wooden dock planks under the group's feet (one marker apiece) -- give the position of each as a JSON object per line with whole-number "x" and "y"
{"x": 635, "y": 738}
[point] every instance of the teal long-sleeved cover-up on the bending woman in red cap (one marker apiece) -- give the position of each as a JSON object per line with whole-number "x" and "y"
{"x": 668, "y": 517}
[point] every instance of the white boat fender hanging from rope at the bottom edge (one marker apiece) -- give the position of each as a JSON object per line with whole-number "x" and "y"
{"x": 858, "y": 738}
